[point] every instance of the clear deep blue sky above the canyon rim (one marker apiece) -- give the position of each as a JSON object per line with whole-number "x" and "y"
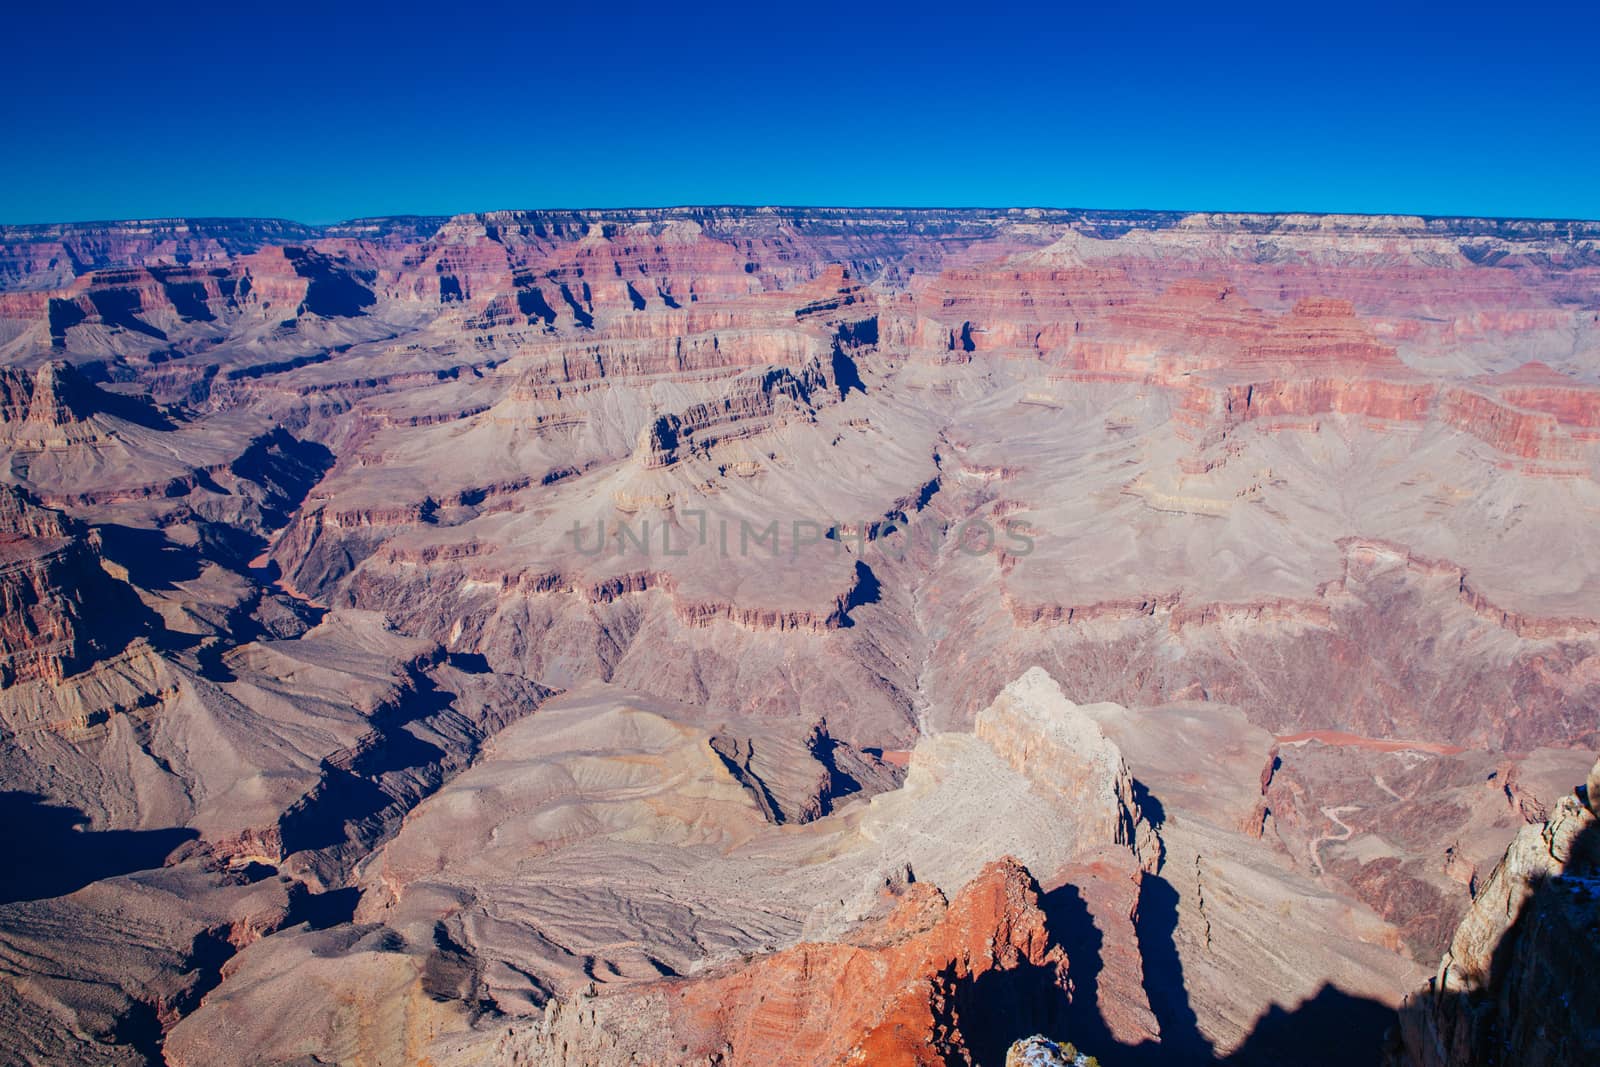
{"x": 329, "y": 111}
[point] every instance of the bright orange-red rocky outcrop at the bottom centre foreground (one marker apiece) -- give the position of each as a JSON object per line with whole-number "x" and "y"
{"x": 951, "y": 981}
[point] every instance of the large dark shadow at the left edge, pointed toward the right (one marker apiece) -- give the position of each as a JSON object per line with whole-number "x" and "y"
{"x": 49, "y": 855}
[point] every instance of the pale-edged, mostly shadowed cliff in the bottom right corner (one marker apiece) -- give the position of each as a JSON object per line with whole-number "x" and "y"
{"x": 1516, "y": 986}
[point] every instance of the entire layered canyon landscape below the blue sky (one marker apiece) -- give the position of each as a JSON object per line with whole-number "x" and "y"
{"x": 801, "y": 637}
